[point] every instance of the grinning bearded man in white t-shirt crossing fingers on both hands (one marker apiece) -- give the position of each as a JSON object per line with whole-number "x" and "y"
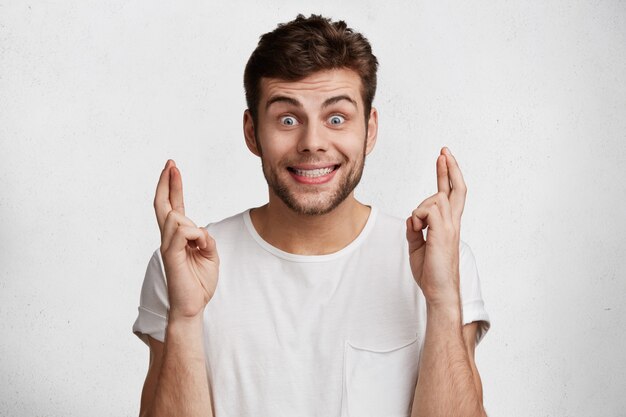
{"x": 324, "y": 306}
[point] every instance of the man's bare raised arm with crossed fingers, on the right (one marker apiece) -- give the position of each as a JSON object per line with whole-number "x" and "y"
{"x": 448, "y": 383}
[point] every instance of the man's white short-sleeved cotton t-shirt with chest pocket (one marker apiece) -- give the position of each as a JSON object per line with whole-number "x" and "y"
{"x": 295, "y": 335}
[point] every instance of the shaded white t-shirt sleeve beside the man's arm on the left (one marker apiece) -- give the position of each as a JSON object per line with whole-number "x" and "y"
{"x": 153, "y": 303}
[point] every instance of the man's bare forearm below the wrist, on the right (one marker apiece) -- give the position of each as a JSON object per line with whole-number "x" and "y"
{"x": 447, "y": 383}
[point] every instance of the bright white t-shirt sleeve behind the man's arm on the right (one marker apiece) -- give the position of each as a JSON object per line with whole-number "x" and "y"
{"x": 471, "y": 296}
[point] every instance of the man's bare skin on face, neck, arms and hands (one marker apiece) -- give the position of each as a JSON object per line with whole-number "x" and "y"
{"x": 320, "y": 123}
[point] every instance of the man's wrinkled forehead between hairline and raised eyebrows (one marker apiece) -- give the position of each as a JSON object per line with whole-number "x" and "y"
{"x": 316, "y": 87}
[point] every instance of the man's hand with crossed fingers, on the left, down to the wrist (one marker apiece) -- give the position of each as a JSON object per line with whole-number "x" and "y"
{"x": 189, "y": 253}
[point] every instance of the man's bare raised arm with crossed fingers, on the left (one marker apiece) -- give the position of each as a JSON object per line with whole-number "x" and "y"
{"x": 177, "y": 384}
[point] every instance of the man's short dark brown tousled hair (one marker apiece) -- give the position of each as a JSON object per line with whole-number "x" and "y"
{"x": 304, "y": 46}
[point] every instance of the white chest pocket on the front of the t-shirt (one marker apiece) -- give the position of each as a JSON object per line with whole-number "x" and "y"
{"x": 380, "y": 382}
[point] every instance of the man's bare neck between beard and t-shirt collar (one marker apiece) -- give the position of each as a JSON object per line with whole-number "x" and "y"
{"x": 302, "y": 234}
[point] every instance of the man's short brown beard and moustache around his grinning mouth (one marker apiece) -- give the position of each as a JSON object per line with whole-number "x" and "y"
{"x": 314, "y": 202}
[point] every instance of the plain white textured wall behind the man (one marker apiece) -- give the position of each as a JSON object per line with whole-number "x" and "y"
{"x": 96, "y": 95}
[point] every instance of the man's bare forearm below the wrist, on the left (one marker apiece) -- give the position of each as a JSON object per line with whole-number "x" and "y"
{"x": 183, "y": 388}
